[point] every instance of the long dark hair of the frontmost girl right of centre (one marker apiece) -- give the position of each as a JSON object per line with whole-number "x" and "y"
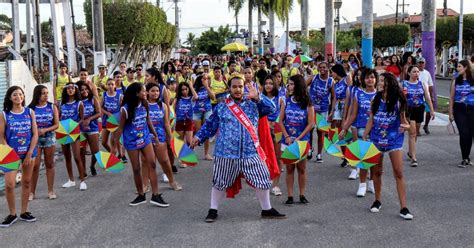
{"x": 394, "y": 95}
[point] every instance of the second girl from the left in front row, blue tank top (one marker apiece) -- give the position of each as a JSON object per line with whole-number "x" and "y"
{"x": 47, "y": 120}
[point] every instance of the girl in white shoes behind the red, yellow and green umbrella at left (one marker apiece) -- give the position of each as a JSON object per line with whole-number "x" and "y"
{"x": 72, "y": 108}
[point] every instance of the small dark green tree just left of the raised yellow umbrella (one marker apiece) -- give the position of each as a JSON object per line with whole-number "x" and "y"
{"x": 211, "y": 41}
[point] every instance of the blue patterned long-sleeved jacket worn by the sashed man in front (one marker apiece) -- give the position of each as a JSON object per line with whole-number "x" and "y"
{"x": 233, "y": 140}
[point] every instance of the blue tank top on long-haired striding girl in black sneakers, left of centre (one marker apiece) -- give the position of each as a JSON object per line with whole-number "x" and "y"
{"x": 136, "y": 134}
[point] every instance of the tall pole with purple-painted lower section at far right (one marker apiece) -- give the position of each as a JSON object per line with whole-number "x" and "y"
{"x": 428, "y": 36}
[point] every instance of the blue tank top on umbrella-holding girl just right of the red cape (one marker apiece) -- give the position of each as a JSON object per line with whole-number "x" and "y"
{"x": 296, "y": 119}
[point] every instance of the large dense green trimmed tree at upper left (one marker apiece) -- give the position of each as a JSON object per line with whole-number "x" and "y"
{"x": 135, "y": 27}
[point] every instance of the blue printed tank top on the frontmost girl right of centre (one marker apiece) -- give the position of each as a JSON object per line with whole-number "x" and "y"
{"x": 385, "y": 133}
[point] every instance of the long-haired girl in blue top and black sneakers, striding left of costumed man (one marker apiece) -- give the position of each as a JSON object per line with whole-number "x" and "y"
{"x": 136, "y": 126}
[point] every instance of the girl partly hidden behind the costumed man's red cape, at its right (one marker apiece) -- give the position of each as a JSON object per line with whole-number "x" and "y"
{"x": 270, "y": 89}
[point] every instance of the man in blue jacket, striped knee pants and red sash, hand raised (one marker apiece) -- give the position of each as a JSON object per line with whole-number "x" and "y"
{"x": 237, "y": 150}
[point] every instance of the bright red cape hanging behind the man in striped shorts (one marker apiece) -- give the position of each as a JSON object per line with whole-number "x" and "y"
{"x": 266, "y": 142}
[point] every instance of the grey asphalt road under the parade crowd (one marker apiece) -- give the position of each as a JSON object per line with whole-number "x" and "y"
{"x": 440, "y": 195}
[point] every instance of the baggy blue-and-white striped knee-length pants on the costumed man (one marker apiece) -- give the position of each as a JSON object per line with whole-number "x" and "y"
{"x": 254, "y": 170}
